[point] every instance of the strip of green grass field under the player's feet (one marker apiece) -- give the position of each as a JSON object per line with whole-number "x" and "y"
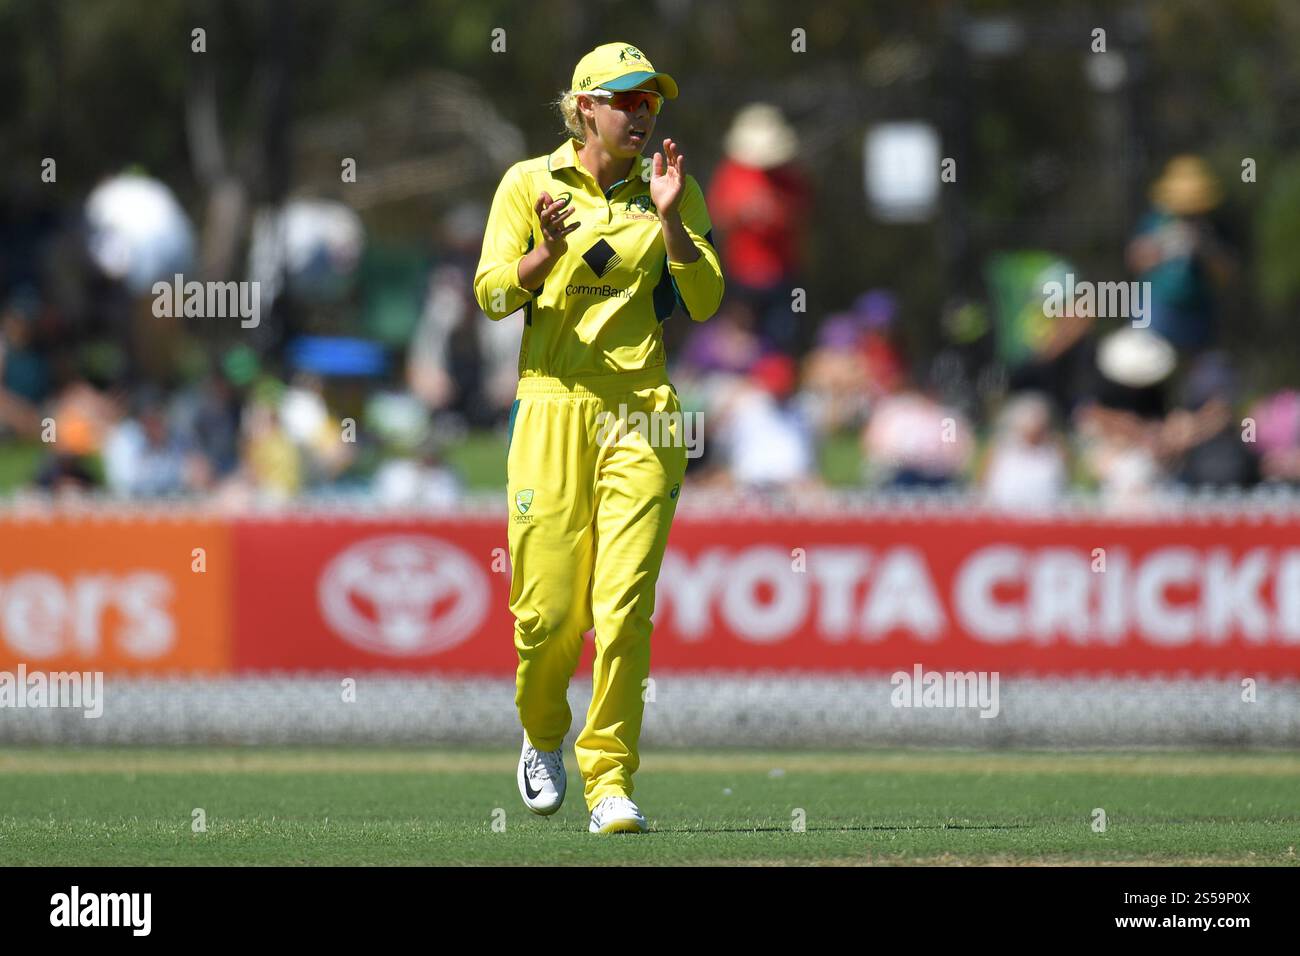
{"x": 397, "y": 807}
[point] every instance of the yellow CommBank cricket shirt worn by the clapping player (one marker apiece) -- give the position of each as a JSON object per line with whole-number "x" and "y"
{"x": 603, "y": 308}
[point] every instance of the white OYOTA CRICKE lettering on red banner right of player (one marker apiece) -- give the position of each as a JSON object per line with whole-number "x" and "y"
{"x": 1000, "y": 594}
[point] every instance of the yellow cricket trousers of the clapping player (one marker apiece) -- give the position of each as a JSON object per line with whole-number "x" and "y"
{"x": 593, "y": 487}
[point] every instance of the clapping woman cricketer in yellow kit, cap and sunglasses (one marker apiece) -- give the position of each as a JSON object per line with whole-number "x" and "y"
{"x": 597, "y": 246}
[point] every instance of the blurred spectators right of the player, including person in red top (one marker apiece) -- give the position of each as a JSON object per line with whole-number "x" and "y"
{"x": 1020, "y": 408}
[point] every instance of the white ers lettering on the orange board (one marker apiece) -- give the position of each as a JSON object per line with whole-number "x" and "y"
{"x": 44, "y": 616}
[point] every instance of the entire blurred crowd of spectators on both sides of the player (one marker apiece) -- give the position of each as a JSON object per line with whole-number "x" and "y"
{"x": 1017, "y": 408}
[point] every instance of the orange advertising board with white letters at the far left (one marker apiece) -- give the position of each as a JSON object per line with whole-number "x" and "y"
{"x": 122, "y": 595}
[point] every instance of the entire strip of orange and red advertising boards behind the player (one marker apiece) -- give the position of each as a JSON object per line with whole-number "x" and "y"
{"x": 852, "y": 594}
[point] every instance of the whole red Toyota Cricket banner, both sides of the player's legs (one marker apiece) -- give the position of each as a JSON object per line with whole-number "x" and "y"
{"x": 857, "y": 594}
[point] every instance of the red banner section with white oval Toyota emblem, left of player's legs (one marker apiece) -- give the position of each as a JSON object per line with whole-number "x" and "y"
{"x": 379, "y": 596}
